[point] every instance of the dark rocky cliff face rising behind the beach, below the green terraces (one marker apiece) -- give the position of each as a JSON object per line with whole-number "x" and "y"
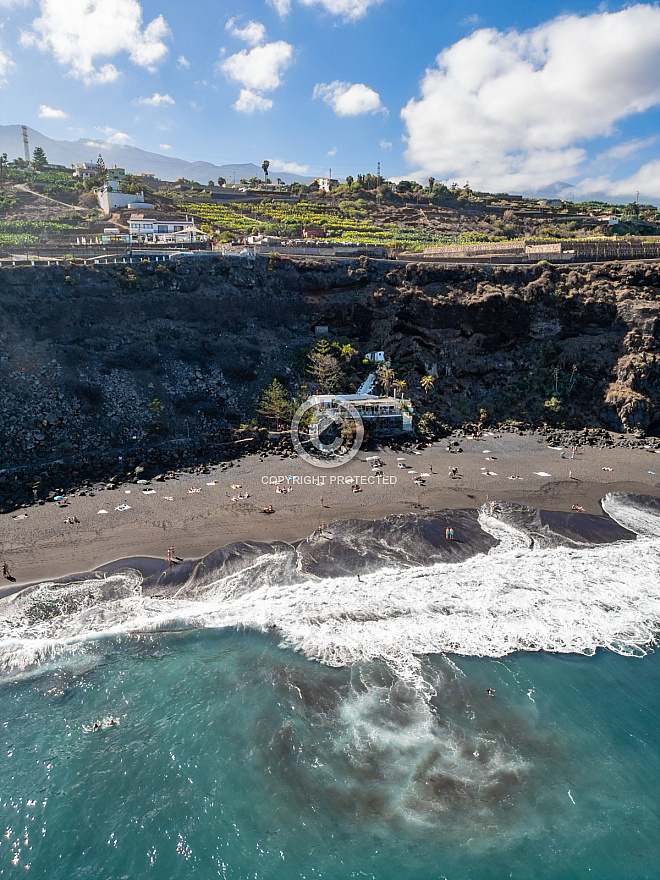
{"x": 94, "y": 360}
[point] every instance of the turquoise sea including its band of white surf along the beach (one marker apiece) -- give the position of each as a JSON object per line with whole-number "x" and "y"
{"x": 272, "y": 727}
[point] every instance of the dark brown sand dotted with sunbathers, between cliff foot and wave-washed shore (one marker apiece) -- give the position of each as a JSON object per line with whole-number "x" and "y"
{"x": 41, "y": 546}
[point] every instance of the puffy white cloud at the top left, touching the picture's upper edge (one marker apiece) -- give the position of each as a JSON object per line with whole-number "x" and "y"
{"x": 79, "y": 31}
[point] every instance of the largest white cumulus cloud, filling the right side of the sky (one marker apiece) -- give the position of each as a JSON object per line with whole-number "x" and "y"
{"x": 510, "y": 110}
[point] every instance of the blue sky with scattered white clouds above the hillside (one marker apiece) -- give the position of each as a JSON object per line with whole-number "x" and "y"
{"x": 506, "y": 94}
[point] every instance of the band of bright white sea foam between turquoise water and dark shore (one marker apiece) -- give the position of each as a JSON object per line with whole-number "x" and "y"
{"x": 516, "y": 597}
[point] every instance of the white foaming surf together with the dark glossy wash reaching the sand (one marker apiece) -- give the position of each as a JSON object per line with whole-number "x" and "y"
{"x": 514, "y": 580}
